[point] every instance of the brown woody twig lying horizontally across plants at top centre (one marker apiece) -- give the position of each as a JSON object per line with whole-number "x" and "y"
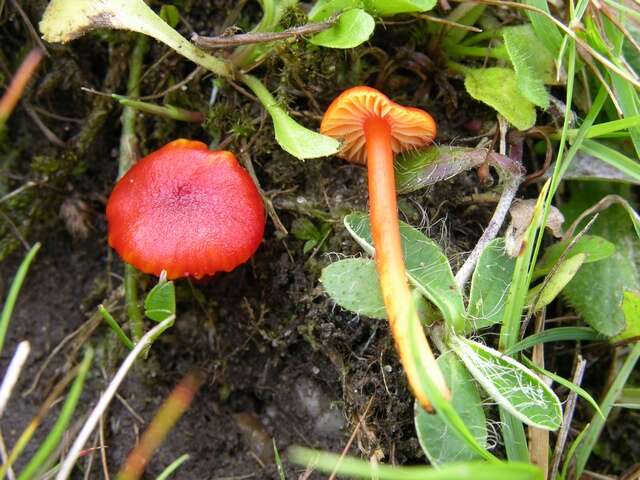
{"x": 224, "y": 41}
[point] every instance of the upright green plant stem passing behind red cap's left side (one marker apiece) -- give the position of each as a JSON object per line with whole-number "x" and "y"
{"x": 129, "y": 153}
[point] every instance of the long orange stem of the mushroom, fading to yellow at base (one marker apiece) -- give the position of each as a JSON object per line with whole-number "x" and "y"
{"x": 415, "y": 353}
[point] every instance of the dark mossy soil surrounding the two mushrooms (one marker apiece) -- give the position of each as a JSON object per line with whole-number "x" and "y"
{"x": 282, "y": 363}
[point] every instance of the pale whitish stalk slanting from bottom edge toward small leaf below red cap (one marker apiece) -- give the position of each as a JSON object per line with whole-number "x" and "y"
{"x": 105, "y": 399}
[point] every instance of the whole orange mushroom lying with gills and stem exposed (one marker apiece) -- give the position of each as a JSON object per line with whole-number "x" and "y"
{"x": 372, "y": 129}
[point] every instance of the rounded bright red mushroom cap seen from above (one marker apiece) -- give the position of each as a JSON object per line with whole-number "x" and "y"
{"x": 187, "y": 210}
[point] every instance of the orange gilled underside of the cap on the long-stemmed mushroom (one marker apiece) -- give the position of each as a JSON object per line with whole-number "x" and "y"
{"x": 345, "y": 118}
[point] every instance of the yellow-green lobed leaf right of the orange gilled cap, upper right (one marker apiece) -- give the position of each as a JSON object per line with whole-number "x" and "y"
{"x": 498, "y": 88}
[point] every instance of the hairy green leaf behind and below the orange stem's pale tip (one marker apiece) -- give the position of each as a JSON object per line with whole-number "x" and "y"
{"x": 439, "y": 442}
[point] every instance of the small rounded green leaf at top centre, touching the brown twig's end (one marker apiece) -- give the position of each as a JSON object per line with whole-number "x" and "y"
{"x": 352, "y": 28}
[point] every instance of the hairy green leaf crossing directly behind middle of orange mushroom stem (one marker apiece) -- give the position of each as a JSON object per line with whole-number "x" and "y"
{"x": 427, "y": 267}
